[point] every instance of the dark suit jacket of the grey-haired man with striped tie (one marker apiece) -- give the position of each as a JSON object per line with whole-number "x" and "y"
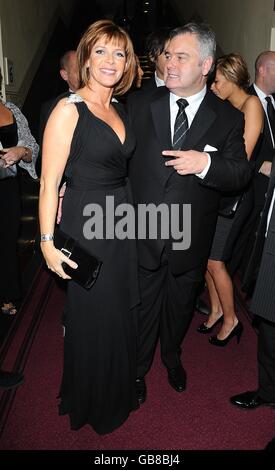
{"x": 216, "y": 123}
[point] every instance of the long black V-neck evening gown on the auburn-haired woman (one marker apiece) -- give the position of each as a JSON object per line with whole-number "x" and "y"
{"x": 98, "y": 386}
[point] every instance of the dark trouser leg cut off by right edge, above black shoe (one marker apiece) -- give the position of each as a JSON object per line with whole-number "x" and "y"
{"x": 266, "y": 360}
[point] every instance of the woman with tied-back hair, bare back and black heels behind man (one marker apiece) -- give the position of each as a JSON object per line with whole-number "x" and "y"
{"x": 231, "y": 83}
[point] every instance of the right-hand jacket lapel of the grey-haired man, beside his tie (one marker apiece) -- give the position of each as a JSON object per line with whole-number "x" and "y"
{"x": 202, "y": 121}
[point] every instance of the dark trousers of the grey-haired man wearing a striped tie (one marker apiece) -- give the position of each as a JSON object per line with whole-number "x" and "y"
{"x": 167, "y": 304}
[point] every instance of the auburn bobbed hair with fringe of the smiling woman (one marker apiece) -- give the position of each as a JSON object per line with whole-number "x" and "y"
{"x": 111, "y": 32}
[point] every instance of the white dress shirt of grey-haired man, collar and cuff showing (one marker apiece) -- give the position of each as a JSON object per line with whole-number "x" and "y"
{"x": 194, "y": 103}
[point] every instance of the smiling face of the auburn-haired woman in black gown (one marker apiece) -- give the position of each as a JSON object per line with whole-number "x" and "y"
{"x": 107, "y": 62}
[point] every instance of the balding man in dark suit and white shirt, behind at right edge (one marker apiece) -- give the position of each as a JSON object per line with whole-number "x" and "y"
{"x": 263, "y": 87}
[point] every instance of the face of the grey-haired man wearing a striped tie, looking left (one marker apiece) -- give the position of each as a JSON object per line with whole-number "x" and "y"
{"x": 185, "y": 72}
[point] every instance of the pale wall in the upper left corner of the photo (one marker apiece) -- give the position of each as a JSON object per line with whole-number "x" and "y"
{"x": 26, "y": 28}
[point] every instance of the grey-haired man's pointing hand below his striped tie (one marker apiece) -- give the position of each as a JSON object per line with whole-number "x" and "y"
{"x": 189, "y": 162}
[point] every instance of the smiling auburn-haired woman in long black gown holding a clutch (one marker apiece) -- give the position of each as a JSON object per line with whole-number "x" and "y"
{"x": 88, "y": 136}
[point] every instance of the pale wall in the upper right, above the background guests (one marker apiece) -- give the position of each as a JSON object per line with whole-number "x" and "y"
{"x": 242, "y": 26}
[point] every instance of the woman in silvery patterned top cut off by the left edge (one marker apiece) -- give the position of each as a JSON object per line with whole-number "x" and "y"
{"x": 19, "y": 149}
